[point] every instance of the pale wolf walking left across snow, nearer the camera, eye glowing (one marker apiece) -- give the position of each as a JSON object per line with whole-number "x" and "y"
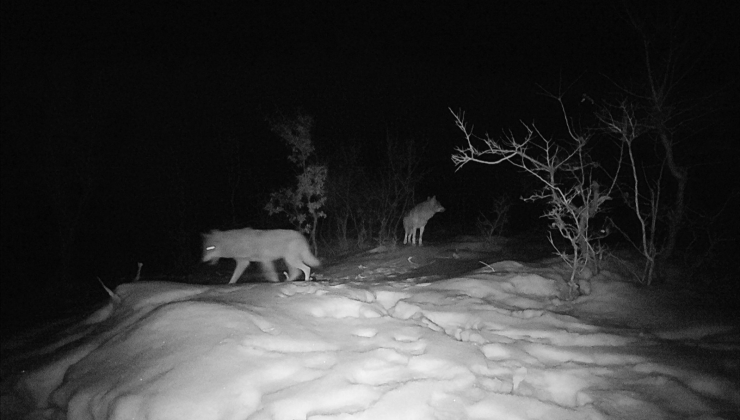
{"x": 265, "y": 246}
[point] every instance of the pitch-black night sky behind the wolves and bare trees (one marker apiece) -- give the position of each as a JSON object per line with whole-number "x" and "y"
{"x": 149, "y": 100}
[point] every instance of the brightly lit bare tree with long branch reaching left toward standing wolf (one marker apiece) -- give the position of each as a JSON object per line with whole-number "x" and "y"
{"x": 565, "y": 170}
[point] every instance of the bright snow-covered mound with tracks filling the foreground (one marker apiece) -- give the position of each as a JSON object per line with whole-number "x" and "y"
{"x": 497, "y": 343}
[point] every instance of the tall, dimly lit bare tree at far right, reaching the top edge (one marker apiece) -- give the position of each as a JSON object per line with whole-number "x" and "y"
{"x": 665, "y": 104}
